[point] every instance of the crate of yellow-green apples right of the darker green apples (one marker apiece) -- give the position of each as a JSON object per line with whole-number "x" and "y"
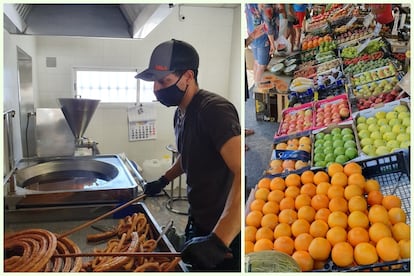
{"x": 382, "y": 130}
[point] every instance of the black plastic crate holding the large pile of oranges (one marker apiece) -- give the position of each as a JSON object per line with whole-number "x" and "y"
{"x": 391, "y": 171}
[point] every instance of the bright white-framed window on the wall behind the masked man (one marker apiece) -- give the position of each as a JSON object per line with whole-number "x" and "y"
{"x": 112, "y": 86}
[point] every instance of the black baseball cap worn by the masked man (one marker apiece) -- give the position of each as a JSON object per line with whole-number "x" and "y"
{"x": 168, "y": 57}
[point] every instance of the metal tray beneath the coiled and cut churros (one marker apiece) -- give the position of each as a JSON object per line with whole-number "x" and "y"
{"x": 62, "y": 219}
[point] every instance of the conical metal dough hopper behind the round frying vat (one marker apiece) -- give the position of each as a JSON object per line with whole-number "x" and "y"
{"x": 78, "y": 113}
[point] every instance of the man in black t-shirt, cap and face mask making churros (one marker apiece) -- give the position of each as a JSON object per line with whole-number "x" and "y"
{"x": 207, "y": 131}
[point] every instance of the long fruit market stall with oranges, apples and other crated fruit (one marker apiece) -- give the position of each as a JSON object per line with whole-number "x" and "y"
{"x": 336, "y": 193}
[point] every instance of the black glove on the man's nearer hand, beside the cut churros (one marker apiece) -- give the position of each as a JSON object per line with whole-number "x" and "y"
{"x": 205, "y": 252}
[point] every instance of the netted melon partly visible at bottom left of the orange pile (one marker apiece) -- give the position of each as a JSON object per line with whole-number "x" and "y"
{"x": 270, "y": 261}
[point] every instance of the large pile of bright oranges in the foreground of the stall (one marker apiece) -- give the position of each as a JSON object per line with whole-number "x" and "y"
{"x": 336, "y": 214}
